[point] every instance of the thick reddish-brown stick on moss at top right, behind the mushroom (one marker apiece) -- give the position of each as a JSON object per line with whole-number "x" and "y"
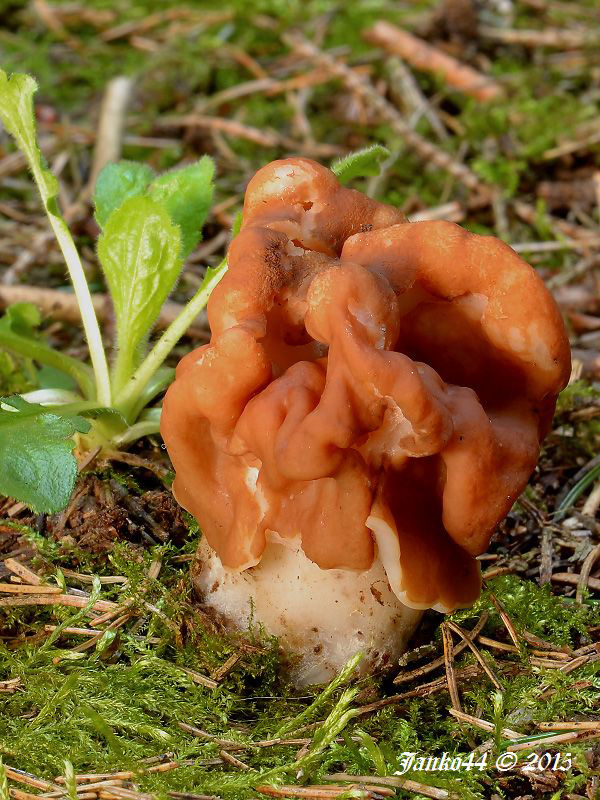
{"x": 424, "y": 56}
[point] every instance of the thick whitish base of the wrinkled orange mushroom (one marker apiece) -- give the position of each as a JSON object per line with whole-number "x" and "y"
{"x": 321, "y": 617}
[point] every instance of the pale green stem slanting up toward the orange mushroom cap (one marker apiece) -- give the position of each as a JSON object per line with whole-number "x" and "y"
{"x": 127, "y": 398}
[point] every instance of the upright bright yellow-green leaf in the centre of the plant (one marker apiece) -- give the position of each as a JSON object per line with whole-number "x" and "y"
{"x": 140, "y": 254}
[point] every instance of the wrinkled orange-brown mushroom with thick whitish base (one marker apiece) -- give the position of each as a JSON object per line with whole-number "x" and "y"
{"x": 370, "y": 405}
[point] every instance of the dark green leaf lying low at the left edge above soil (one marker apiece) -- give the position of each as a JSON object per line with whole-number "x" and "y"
{"x": 37, "y": 466}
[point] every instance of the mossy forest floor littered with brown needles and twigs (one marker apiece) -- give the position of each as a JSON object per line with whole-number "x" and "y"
{"x": 125, "y": 688}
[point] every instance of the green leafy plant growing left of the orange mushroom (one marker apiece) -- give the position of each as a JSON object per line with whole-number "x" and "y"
{"x": 149, "y": 225}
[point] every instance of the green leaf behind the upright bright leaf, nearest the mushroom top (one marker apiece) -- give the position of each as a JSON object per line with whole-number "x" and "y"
{"x": 187, "y": 195}
